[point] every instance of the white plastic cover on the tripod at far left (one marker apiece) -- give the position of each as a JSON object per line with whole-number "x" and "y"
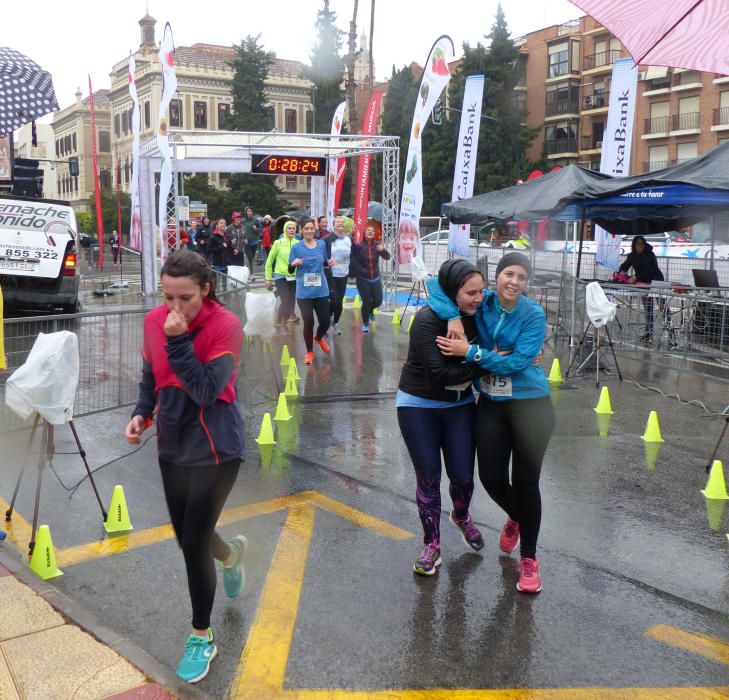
{"x": 47, "y": 382}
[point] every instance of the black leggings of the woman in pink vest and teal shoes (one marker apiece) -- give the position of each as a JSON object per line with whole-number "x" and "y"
{"x": 195, "y": 498}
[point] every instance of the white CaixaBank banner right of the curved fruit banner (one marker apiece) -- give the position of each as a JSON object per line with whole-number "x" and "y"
{"x": 465, "y": 171}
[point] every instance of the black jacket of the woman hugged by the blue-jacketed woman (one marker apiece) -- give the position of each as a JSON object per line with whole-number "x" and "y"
{"x": 426, "y": 372}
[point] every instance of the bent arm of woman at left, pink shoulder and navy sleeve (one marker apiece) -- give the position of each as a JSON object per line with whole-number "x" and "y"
{"x": 203, "y": 381}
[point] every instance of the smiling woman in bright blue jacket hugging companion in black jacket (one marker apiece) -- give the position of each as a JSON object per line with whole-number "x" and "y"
{"x": 514, "y": 416}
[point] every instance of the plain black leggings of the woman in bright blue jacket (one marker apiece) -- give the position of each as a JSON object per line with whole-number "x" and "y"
{"x": 517, "y": 429}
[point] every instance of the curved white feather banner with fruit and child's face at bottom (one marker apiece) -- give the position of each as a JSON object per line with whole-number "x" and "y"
{"x": 436, "y": 75}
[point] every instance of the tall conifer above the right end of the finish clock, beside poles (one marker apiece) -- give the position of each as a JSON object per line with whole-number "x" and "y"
{"x": 327, "y": 69}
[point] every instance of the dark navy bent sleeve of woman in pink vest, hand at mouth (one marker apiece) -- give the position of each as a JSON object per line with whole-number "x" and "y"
{"x": 202, "y": 382}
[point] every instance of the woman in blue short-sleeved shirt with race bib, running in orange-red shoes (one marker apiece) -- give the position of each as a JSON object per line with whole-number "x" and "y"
{"x": 308, "y": 259}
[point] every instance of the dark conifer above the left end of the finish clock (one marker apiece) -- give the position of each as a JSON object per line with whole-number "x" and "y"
{"x": 251, "y": 111}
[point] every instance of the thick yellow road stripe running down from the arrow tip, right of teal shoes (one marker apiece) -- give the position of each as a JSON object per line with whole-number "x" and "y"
{"x": 262, "y": 668}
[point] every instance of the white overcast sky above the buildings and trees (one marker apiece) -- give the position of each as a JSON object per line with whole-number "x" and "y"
{"x": 80, "y": 37}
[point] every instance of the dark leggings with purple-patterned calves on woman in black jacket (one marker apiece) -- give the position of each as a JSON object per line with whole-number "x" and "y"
{"x": 428, "y": 432}
